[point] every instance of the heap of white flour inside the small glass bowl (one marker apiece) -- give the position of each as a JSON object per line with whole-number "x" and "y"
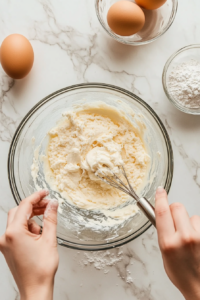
{"x": 183, "y": 83}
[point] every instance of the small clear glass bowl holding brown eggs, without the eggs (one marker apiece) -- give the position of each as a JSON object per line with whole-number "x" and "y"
{"x": 158, "y": 21}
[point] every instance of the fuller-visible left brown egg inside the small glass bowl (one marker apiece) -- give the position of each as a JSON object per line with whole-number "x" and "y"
{"x": 125, "y": 18}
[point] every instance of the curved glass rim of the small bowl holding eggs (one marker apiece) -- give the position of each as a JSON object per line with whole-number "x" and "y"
{"x": 121, "y": 40}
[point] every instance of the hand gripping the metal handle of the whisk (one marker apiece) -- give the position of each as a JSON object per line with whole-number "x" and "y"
{"x": 179, "y": 240}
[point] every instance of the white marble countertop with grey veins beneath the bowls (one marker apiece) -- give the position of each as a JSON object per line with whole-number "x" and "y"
{"x": 71, "y": 47}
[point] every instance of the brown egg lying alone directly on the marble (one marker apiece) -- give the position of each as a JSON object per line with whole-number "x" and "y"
{"x": 16, "y": 56}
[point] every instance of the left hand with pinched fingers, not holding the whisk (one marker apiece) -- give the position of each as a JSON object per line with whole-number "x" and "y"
{"x": 32, "y": 257}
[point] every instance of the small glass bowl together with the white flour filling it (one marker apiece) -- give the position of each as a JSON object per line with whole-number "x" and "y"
{"x": 188, "y": 55}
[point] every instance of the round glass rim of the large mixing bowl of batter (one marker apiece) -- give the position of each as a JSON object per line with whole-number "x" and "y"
{"x": 11, "y": 156}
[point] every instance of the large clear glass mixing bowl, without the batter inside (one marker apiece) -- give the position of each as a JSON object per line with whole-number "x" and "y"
{"x": 80, "y": 228}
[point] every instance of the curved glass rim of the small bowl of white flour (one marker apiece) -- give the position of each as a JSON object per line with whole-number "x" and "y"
{"x": 164, "y": 80}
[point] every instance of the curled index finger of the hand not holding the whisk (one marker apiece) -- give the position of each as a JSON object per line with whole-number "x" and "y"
{"x": 26, "y": 206}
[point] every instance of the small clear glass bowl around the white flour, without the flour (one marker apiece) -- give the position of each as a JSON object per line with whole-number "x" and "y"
{"x": 181, "y": 56}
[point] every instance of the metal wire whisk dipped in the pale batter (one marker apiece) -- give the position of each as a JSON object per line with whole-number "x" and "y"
{"x": 115, "y": 181}
